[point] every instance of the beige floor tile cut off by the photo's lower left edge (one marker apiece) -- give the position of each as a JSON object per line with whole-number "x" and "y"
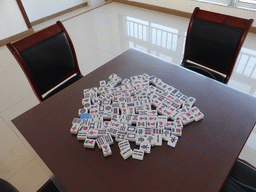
{"x": 13, "y": 154}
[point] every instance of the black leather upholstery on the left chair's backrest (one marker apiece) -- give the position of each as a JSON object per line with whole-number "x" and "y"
{"x": 49, "y": 60}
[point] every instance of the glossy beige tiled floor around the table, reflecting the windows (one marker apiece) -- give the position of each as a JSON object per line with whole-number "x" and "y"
{"x": 98, "y": 36}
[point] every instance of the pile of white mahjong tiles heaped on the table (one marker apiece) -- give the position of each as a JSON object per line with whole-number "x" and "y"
{"x": 142, "y": 109}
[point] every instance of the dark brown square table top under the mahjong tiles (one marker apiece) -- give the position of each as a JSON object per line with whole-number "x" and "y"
{"x": 201, "y": 161}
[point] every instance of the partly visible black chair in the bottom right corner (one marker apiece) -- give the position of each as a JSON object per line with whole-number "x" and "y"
{"x": 241, "y": 179}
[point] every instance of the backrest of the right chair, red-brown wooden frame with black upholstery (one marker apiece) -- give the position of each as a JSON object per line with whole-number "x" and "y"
{"x": 214, "y": 40}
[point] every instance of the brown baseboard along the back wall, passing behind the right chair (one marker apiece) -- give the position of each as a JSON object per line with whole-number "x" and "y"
{"x": 164, "y": 10}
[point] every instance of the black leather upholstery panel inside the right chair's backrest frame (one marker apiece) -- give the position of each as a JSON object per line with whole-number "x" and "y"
{"x": 213, "y": 43}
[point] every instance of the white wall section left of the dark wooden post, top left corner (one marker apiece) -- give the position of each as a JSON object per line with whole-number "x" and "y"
{"x": 11, "y": 19}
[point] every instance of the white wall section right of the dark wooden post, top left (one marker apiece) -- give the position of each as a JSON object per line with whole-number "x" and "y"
{"x": 38, "y": 9}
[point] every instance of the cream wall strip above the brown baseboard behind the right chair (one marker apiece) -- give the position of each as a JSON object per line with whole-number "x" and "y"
{"x": 189, "y": 5}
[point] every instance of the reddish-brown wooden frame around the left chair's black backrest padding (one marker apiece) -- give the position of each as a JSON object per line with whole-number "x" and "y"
{"x": 33, "y": 39}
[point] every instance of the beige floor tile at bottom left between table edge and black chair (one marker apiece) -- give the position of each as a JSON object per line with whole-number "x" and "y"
{"x": 30, "y": 178}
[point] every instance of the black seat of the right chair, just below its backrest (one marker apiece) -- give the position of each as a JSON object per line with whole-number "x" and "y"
{"x": 204, "y": 71}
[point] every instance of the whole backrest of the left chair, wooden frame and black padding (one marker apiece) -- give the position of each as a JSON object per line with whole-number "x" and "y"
{"x": 47, "y": 58}
